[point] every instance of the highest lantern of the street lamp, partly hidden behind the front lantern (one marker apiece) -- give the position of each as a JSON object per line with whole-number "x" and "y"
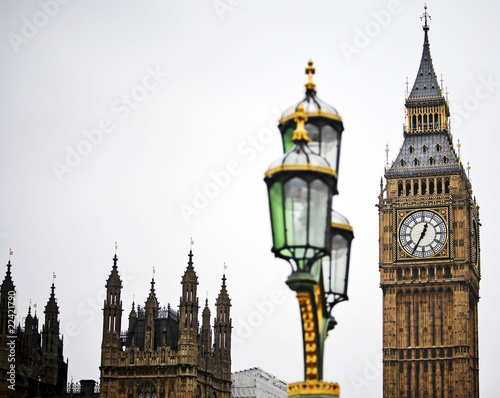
{"x": 324, "y": 125}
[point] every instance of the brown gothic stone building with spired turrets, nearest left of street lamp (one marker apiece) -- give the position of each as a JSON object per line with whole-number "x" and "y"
{"x": 164, "y": 353}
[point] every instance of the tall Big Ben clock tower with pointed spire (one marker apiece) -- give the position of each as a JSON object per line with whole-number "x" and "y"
{"x": 429, "y": 255}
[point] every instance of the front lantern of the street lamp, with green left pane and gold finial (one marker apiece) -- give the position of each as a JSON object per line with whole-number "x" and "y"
{"x": 300, "y": 187}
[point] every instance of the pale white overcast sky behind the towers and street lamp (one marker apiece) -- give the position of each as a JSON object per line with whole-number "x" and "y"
{"x": 222, "y": 77}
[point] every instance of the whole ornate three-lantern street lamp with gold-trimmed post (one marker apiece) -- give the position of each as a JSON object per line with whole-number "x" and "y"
{"x": 307, "y": 233}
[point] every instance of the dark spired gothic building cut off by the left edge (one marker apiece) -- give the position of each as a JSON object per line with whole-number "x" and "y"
{"x": 37, "y": 356}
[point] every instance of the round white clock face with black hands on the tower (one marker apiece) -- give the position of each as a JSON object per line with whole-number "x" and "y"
{"x": 423, "y": 233}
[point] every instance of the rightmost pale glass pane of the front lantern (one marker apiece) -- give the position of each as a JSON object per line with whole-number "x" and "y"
{"x": 319, "y": 214}
